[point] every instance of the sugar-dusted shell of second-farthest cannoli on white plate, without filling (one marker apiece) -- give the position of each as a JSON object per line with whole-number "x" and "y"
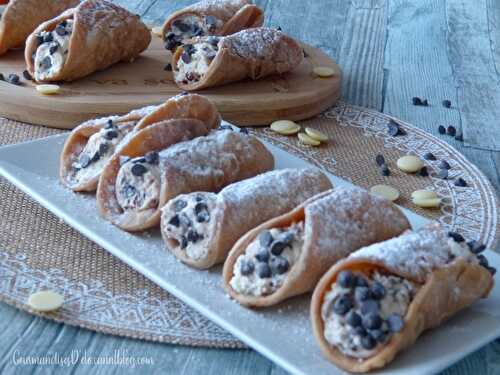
{"x": 203, "y": 164}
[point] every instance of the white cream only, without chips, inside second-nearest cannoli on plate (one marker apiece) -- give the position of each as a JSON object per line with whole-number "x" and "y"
{"x": 254, "y": 285}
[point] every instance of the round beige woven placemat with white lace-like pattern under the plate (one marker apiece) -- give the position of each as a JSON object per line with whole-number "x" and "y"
{"x": 38, "y": 251}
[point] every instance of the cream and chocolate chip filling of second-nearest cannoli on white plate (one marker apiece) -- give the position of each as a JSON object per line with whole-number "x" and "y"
{"x": 263, "y": 268}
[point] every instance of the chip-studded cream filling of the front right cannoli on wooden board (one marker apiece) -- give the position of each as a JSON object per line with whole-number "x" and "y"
{"x": 195, "y": 61}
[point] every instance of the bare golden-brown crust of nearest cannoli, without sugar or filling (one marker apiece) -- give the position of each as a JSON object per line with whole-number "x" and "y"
{"x": 446, "y": 291}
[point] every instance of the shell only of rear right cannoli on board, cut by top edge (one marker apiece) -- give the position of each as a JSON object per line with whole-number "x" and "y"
{"x": 237, "y": 15}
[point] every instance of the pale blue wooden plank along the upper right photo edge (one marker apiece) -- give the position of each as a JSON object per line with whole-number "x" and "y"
{"x": 474, "y": 70}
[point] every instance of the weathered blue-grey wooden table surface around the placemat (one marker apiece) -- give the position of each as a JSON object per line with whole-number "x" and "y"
{"x": 390, "y": 51}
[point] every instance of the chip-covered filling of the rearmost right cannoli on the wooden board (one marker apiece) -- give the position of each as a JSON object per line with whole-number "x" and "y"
{"x": 190, "y": 26}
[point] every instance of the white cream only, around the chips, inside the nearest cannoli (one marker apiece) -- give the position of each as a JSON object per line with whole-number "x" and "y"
{"x": 398, "y": 295}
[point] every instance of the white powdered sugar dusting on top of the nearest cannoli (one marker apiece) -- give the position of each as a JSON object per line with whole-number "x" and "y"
{"x": 418, "y": 253}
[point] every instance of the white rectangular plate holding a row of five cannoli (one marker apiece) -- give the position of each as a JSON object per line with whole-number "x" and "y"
{"x": 283, "y": 334}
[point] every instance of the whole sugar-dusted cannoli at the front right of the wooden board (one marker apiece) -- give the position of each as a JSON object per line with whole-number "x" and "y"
{"x": 254, "y": 53}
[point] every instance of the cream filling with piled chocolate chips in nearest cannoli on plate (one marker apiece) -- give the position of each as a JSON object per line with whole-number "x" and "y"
{"x": 360, "y": 314}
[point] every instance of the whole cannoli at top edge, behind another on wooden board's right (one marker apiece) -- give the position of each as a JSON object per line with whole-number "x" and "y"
{"x": 210, "y": 17}
